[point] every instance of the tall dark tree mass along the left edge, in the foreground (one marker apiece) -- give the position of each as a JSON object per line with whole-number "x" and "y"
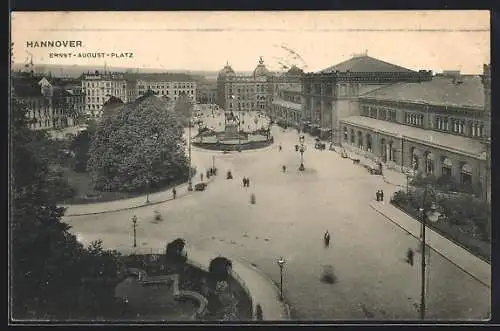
{"x": 46, "y": 258}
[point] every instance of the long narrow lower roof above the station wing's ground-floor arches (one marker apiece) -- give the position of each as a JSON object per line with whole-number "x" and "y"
{"x": 458, "y": 144}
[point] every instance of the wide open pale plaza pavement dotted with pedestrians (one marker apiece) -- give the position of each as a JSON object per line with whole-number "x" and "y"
{"x": 292, "y": 212}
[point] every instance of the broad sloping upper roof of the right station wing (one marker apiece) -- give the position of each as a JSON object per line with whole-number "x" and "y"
{"x": 439, "y": 91}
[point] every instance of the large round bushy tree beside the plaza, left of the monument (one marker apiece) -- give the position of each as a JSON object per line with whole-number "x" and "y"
{"x": 140, "y": 145}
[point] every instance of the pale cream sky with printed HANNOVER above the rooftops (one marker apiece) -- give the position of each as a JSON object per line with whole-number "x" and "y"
{"x": 418, "y": 40}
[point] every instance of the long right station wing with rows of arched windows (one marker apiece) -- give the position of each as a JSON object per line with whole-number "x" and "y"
{"x": 437, "y": 127}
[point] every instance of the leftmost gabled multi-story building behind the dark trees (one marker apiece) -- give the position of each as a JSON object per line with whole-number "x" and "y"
{"x": 53, "y": 103}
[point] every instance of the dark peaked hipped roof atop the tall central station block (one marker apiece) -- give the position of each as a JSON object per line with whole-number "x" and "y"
{"x": 365, "y": 63}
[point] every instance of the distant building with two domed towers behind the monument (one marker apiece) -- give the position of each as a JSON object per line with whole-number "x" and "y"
{"x": 245, "y": 92}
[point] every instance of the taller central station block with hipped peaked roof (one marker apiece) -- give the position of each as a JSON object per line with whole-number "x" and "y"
{"x": 332, "y": 94}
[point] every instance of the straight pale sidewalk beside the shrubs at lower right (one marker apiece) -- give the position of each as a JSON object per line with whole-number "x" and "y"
{"x": 465, "y": 260}
